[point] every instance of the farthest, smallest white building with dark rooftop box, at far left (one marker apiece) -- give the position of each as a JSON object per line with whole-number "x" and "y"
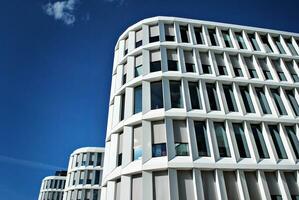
{"x": 52, "y": 186}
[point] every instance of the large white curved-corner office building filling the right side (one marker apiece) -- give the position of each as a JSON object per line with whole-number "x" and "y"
{"x": 202, "y": 110}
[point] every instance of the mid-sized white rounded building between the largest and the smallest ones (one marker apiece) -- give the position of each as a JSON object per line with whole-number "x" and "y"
{"x": 84, "y": 175}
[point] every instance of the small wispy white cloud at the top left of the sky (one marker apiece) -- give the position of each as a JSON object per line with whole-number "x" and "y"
{"x": 62, "y": 10}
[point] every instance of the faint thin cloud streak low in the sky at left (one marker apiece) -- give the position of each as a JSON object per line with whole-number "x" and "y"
{"x": 28, "y": 163}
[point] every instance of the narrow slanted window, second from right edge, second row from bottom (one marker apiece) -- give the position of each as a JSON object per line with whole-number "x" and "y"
{"x": 277, "y": 142}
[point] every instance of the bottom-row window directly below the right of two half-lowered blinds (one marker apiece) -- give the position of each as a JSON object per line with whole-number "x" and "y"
{"x": 186, "y": 185}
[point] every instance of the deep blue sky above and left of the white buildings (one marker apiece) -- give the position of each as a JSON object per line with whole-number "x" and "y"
{"x": 55, "y": 71}
